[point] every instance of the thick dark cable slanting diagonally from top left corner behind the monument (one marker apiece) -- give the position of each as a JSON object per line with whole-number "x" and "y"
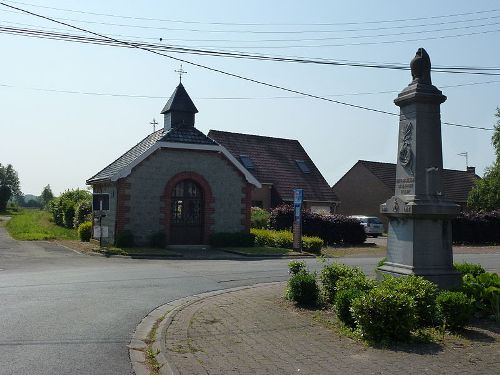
{"x": 228, "y": 73}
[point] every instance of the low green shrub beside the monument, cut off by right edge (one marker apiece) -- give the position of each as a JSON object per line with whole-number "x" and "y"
{"x": 484, "y": 289}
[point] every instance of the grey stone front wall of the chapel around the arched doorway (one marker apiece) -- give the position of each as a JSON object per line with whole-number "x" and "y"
{"x": 144, "y": 188}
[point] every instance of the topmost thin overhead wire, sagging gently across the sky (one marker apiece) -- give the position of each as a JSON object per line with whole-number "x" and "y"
{"x": 257, "y": 24}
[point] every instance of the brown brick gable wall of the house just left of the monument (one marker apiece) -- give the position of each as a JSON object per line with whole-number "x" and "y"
{"x": 361, "y": 193}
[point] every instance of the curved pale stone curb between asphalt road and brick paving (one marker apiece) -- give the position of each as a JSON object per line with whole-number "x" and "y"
{"x": 163, "y": 316}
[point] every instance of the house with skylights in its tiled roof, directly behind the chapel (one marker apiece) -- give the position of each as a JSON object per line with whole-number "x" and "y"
{"x": 280, "y": 165}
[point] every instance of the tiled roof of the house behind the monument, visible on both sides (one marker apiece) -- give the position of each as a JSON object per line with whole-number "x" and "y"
{"x": 457, "y": 184}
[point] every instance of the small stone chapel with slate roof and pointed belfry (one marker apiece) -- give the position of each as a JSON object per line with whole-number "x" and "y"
{"x": 176, "y": 182}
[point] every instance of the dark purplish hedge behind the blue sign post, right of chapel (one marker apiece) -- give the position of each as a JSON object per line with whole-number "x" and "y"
{"x": 332, "y": 229}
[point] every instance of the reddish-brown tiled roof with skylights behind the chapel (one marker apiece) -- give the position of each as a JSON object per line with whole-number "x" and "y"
{"x": 274, "y": 162}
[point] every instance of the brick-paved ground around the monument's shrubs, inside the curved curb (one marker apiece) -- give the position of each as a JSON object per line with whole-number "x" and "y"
{"x": 253, "y": 331}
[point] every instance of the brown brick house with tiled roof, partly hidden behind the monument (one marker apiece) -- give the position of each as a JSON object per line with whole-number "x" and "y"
{"x": 368, "y": 184}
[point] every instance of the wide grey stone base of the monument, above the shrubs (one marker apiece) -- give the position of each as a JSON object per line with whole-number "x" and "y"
{"x": 430, "y": 256}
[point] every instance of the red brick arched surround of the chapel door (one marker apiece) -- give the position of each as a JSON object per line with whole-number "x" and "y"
{"x": 208, "y": 209}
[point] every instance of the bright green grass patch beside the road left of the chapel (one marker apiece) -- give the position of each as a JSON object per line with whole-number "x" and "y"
{"x": 34, "y": 224}
